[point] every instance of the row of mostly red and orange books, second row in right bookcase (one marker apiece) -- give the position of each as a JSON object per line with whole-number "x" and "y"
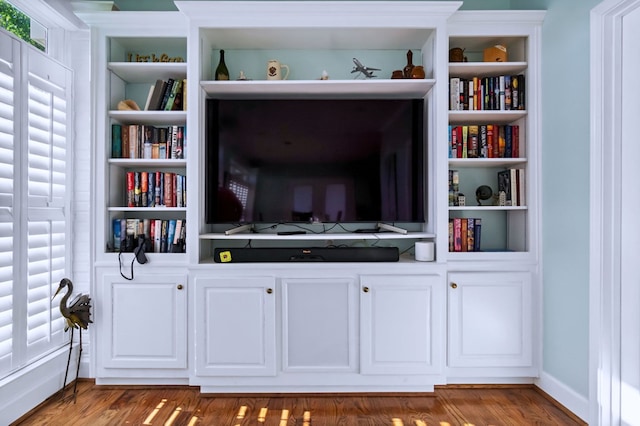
{"x": 484, "y": 141}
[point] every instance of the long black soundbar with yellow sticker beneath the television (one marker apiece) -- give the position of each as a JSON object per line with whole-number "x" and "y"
{"x": 310, "y": 254}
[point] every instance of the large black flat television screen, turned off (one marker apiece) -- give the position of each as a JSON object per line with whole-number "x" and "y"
{"x": 303, "y": 160}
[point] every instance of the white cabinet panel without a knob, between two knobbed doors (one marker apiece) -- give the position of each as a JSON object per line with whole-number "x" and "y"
{"x": 319, "y": 318}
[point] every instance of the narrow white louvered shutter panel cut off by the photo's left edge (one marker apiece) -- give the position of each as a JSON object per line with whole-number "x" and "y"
{"x": 9, "y": 51}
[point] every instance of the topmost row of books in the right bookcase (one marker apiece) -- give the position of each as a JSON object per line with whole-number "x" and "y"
{"x": 497, "y": 93}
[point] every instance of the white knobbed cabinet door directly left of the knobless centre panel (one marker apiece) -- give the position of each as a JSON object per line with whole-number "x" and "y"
{"x": 235, "y": 331}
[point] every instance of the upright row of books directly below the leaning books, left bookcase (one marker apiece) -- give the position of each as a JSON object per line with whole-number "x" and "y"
{"x": 149, "y": 142}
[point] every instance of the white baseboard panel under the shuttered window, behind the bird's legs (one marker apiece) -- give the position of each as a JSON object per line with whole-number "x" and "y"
{"x": 23, "y": 390}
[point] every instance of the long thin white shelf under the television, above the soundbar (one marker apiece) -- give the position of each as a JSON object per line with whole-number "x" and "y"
{"x": 319, "y": 236}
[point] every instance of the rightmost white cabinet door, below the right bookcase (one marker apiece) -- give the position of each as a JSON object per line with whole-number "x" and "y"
{"x": 490, "y": 320}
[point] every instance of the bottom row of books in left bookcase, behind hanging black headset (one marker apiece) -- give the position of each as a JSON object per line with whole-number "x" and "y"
{"x": 165, "y": 235}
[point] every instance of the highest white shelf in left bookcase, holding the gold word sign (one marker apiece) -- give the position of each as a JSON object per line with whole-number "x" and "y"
{"x": 148, "y": 72}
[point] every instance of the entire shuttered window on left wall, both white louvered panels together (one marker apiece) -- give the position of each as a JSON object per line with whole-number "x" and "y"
{"x": 35, "y": 92}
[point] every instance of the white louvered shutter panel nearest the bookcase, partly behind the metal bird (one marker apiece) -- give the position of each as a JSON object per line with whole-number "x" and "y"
{"x": 46, "y": 191}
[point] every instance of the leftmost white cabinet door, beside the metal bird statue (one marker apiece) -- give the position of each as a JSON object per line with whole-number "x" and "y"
{"x": 145, "y": 324}
